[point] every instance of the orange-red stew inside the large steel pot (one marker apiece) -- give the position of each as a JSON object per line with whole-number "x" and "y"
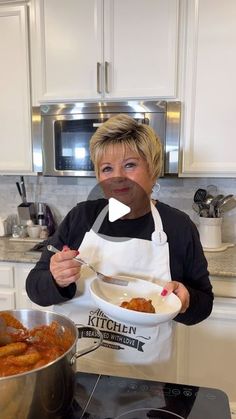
{"x": 27, "y": 349}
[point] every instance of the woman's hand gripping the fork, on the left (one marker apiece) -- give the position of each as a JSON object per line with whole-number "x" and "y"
{"x": 64, "y": 269}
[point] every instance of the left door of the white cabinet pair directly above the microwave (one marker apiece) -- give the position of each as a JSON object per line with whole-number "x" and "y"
{"x": 66, "y": 49}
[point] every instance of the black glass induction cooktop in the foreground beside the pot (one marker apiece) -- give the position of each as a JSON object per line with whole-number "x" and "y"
{"x": 107, "y": 397}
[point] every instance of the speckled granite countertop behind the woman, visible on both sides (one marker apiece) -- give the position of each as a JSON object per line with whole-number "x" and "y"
{"x": 219, "y": 263}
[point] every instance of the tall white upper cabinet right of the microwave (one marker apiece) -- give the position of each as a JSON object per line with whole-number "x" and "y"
{"x": 207, "y": 88}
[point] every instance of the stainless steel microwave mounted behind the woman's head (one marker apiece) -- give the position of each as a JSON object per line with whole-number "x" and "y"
{"x": 62, "y": 133}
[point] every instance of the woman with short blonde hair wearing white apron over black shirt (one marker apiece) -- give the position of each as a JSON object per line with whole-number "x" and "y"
{"x": 153, "y": 241}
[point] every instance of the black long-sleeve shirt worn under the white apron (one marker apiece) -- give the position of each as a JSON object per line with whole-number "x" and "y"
{"x": 187, "y": 261}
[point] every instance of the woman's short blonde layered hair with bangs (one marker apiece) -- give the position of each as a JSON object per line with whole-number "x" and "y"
{"x": 140, "y": 138}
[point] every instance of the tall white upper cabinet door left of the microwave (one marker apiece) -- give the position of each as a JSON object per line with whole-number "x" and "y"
{"x": 15, "y": 119}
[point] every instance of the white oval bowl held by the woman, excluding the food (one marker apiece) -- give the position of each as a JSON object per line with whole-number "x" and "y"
{"x": 108, "y": 297}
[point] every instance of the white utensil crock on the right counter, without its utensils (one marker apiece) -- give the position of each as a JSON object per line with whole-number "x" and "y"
{"x": 210, "y": 232}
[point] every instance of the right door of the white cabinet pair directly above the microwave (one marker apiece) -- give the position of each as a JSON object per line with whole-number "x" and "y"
{"x": 140, "y": 48}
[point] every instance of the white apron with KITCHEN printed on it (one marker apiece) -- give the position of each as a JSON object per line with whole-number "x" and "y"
{"x": 127, "y": 350}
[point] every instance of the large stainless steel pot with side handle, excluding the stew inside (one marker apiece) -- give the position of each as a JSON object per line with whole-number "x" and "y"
{"x": 46, "y": 392}
